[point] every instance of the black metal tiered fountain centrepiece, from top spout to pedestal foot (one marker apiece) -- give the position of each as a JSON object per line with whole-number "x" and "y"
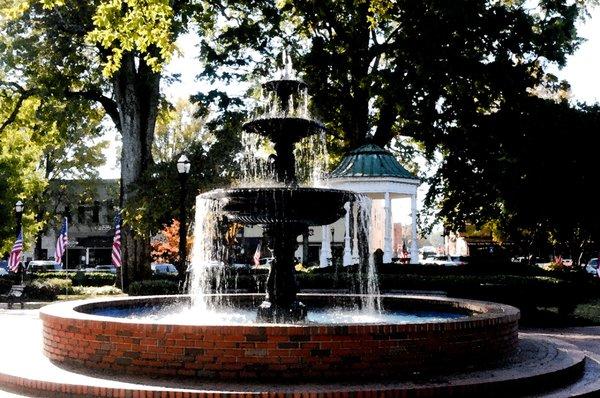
{"x": 287, "y": 211}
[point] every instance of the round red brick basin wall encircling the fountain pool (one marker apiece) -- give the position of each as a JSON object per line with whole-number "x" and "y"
{"x": 486, "y": 333}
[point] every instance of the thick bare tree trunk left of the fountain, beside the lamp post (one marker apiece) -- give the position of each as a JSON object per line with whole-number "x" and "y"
{"x": 136, "y": 93}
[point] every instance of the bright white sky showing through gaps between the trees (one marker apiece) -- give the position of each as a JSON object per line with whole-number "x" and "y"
{"x": 582, "y": 71}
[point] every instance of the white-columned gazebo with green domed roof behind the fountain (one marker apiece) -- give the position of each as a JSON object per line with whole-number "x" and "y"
{"x": 375, "y": 172}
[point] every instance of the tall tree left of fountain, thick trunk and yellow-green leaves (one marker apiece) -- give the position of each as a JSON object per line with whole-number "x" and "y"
{"x": 109, "y": 53}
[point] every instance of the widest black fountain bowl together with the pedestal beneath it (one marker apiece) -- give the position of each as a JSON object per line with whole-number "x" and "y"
{"x": 286, "y": 213}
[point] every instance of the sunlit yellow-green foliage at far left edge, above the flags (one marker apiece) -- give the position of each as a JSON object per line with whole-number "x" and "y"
{"x": 43, "y": 138}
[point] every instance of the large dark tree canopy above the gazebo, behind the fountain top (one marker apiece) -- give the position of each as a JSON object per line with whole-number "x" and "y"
{"x": 410, "y": 68}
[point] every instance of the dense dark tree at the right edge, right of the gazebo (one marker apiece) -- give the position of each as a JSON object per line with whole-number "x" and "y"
{"x": 528, "y": 167}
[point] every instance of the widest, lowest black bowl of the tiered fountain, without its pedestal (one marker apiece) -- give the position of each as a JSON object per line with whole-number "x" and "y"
{"x": 308, "y": 206}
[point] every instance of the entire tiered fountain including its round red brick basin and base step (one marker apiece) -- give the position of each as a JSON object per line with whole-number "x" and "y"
{"x": 418, "y": 346}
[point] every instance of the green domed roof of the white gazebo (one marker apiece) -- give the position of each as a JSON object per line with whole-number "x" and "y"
{"x": 370, "y": 161}
